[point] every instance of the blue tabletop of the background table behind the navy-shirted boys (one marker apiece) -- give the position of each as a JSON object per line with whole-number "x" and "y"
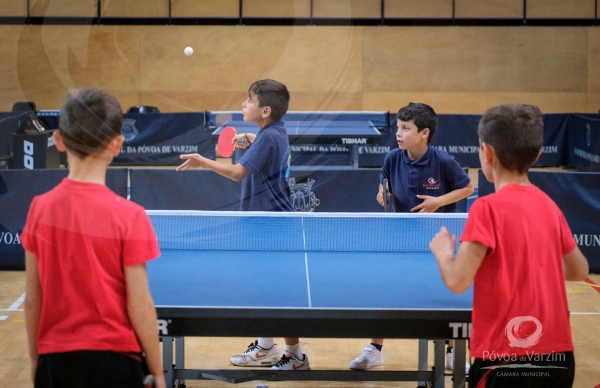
{"x": 317, "y": 127}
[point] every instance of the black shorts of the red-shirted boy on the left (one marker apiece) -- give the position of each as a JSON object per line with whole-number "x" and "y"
{"x": 89, "y": 369}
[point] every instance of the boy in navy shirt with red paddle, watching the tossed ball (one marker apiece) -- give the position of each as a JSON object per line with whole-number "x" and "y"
{"x": 264, "y": 171}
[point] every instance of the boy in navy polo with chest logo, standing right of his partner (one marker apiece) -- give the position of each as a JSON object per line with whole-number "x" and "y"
{"x": 421, "y": 179}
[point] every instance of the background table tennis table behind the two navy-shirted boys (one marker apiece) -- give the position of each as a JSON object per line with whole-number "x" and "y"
{"x": 311, "y": 138}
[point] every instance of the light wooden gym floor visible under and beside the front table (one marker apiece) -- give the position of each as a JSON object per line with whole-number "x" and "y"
{"x": 214, "y": 353}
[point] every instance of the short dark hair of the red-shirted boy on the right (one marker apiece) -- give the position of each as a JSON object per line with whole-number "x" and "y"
{"x": 516, "y": 132}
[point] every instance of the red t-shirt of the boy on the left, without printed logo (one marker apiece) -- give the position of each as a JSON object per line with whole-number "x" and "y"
{"x": 83, "y": 235}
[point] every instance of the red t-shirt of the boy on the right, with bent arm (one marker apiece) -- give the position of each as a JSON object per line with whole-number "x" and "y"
{"x": 519, "y": 289}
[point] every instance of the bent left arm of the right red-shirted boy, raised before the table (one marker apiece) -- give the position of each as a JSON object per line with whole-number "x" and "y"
{"x": 457, "y": 274}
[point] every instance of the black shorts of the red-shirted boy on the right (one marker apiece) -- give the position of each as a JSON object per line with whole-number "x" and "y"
{"x": 546, "y": 371}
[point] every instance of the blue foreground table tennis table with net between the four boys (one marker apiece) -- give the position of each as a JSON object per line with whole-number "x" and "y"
{"x": 354, "y": 275}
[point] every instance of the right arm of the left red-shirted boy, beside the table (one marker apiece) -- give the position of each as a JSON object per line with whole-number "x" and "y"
{"x": 142, "y": 314}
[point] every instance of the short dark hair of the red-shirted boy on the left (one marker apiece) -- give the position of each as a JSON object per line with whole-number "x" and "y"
{"x": 89, "y": 119}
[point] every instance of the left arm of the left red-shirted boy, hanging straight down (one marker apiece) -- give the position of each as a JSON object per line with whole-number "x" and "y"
{"x": 33, "y": 307}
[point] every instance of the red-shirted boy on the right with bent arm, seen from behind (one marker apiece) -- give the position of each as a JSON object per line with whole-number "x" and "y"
{"x": 518, "y": 250}
